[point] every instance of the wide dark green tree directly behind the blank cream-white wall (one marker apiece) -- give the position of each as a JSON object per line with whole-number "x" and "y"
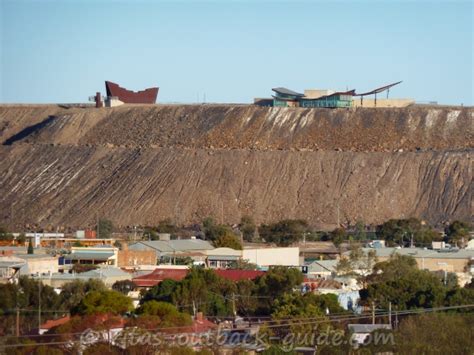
{"x": 285, "y": 232}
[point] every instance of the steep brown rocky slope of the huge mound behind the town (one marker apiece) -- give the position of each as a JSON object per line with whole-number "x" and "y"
{"x": 140, "y": 164}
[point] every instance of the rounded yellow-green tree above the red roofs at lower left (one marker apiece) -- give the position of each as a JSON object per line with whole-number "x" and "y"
{"x": 111, "y": 302}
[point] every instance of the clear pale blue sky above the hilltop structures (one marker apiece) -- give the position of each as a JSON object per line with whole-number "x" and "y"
{"x": 233, "y": 51}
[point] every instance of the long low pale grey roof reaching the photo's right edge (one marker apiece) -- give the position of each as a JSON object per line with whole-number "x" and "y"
{"x": 422, "y": 253}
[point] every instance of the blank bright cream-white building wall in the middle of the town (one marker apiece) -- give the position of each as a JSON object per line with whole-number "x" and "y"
{"x": 272, "y": 256}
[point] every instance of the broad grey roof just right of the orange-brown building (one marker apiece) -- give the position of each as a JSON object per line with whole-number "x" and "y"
{"x": 170, "y": 246}
